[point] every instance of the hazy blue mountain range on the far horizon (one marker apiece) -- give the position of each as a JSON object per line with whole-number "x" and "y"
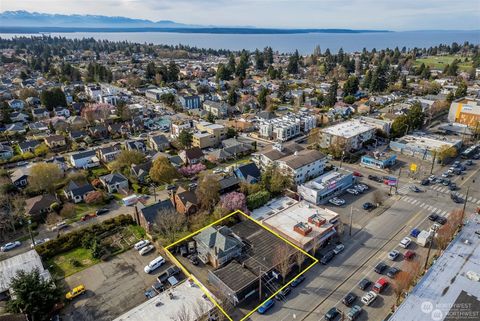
{"x": 32, "y": 22}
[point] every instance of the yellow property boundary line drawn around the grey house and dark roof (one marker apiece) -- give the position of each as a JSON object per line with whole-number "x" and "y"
{"x": 206, "y": 291}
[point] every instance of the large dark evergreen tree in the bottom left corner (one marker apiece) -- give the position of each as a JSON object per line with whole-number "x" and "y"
{"x": 35, "y": 296}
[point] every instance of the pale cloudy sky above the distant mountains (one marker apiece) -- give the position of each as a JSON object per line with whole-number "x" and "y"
{"x": 397, "y": 15}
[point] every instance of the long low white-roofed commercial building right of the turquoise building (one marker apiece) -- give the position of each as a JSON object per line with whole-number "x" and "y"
{"x": 424, "y": 146}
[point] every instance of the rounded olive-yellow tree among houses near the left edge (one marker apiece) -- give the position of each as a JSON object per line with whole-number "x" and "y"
{"x": 44, "y": 177}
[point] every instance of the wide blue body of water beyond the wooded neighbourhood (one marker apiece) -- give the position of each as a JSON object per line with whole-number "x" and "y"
{"x": 305, "y": 43}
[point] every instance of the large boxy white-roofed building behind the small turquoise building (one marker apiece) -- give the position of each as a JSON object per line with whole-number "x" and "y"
{"x": 350, "y": 135}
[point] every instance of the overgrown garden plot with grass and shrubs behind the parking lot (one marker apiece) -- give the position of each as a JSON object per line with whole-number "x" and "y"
{"x": 80, "y": 249}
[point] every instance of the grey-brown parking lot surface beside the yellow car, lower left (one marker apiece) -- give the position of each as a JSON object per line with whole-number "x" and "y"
{"x": 113, "y": 287}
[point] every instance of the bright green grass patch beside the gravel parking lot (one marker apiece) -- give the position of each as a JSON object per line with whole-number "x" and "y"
{"x": 63, "y": 265}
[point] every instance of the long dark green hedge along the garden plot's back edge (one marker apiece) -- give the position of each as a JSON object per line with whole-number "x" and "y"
{"x": 72, "y": 240}
